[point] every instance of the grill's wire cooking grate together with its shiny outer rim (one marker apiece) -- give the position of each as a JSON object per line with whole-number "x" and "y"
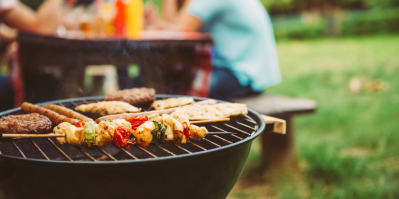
{"x": 46, "y": 149}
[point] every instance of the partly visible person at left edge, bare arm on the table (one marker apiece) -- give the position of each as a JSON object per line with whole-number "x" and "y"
{"x": 19, "y": 16}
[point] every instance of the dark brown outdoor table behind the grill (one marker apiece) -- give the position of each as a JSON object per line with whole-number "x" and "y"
{"x": 165, "y": 59}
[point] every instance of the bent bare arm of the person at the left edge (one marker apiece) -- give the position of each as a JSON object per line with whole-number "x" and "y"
{"x": 44, "y": 21}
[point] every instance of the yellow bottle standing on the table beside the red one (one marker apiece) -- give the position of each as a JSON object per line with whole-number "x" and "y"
{"x": 134, "y": 18}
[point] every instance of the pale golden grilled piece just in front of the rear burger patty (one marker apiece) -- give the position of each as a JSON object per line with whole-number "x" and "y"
{"x": 107, "y": 108}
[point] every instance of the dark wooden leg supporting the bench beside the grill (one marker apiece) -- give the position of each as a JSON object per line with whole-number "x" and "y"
{"x": 277, "y": 149}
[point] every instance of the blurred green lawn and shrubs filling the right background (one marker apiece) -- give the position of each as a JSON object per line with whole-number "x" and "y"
{"x": 348, "y": 148}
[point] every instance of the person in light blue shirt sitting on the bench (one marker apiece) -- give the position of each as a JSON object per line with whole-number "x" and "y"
{"x": 245, "y": 60}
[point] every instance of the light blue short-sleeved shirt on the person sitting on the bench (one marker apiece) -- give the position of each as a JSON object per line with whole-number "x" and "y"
{"x": 244, "y": 41}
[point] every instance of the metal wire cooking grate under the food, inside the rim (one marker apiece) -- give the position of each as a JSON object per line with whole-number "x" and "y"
{"x": 243, "y": 126}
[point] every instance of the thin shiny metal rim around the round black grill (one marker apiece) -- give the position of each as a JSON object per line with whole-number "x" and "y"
{"x": 180, "y": 157}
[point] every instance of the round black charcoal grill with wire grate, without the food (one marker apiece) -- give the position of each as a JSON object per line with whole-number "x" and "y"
{"x": 41, "y": 168}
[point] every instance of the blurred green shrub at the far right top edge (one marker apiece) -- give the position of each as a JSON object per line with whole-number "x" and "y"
{"x": 380, "y": 21}
